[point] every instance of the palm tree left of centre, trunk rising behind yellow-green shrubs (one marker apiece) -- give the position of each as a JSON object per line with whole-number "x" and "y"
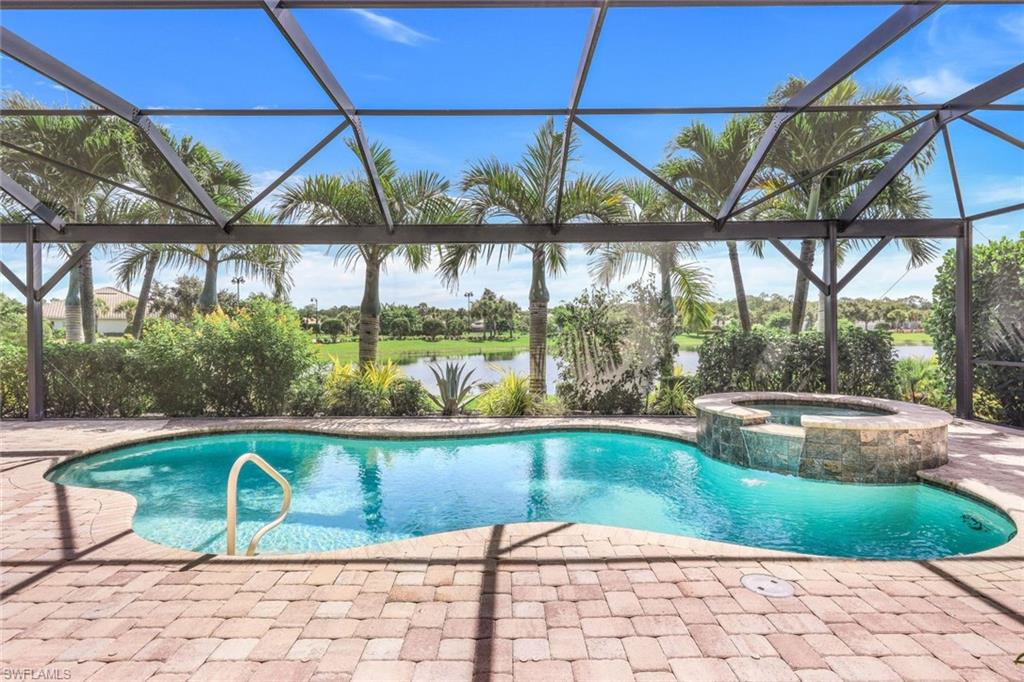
{"x": 418, "y": 198}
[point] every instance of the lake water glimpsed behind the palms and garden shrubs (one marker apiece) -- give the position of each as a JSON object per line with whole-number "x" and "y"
{"x": 488, "y": 367}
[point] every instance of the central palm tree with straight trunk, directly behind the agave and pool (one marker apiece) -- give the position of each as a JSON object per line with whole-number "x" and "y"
{"x": 527, "y": 192}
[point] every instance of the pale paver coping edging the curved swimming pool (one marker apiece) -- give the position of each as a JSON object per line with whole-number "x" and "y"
{"x": 118, "y": 518}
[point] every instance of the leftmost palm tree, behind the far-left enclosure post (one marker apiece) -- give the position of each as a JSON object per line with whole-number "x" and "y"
{"x": 102, "y": 146}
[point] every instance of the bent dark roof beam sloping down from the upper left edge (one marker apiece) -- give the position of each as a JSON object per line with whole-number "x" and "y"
{"x": 39, "y": 61}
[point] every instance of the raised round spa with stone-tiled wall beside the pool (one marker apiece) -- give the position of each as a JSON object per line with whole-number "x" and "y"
{"x": 888, "y": 448}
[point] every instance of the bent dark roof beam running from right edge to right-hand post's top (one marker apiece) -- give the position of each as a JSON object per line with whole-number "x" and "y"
{"x": 990, "y": 92}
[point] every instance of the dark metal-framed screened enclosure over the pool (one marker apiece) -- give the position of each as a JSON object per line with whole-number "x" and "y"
{"x": 297, "y": 64}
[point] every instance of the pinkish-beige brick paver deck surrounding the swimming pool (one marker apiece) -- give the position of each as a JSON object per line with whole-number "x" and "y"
{"x": 83, "y": 598}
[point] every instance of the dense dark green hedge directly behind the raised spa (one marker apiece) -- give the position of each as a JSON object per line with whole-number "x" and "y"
{"x": 767, "y": 361}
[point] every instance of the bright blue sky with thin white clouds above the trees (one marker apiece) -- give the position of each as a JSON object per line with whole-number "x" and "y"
{"x": 528, "y": 58}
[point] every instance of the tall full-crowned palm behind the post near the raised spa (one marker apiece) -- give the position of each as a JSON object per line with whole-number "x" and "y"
{"x": 812, "y": 141}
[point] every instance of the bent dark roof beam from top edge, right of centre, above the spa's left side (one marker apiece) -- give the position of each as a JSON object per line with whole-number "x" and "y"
{"x": 889, "y": 31}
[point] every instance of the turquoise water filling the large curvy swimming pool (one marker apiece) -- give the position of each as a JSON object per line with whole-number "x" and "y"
{"x": 352, "y": 492}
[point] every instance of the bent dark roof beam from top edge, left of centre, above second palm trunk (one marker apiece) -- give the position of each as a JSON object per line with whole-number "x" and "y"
{"x": 304, "y": 48}
